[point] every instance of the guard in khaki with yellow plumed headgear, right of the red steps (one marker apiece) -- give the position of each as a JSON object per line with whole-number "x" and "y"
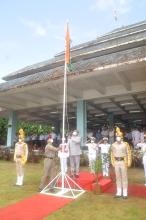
{"x": 121, "y": 159}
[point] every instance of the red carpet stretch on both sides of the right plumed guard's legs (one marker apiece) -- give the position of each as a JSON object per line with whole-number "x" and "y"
{"x": 133, "y": 190}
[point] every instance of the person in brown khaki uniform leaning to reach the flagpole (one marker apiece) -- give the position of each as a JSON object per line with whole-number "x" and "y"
{"x": 49, "y": 163}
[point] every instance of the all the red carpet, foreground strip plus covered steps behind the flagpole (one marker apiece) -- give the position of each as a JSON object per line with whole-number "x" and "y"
{"x": 40, "y": 206}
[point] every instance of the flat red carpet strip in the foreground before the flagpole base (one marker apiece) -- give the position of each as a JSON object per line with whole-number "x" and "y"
{"x": 34, "y": 208}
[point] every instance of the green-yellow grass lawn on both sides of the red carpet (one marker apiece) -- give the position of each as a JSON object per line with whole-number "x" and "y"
{"x": 88, "y": 206}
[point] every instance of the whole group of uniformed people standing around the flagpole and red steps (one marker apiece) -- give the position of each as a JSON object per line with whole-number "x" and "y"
{"x": 110, "y": 146}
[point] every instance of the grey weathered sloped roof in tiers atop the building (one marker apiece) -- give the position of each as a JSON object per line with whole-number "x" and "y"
{"x": 84, "y": 56}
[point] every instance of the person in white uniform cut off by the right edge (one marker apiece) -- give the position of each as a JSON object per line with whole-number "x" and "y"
{"x": 142, "y": 145}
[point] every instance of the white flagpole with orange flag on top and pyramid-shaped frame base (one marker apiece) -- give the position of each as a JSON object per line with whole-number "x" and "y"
{"x": 68, "y": 187}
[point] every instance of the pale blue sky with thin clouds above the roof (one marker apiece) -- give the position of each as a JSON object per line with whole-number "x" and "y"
{"x": 32, "y": 31}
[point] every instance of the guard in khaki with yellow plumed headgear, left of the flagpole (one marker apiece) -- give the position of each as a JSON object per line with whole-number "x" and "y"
{"x": 20, "y": 157}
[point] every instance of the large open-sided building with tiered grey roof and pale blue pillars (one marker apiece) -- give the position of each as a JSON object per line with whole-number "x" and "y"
{"x": 107, "y": 82}
